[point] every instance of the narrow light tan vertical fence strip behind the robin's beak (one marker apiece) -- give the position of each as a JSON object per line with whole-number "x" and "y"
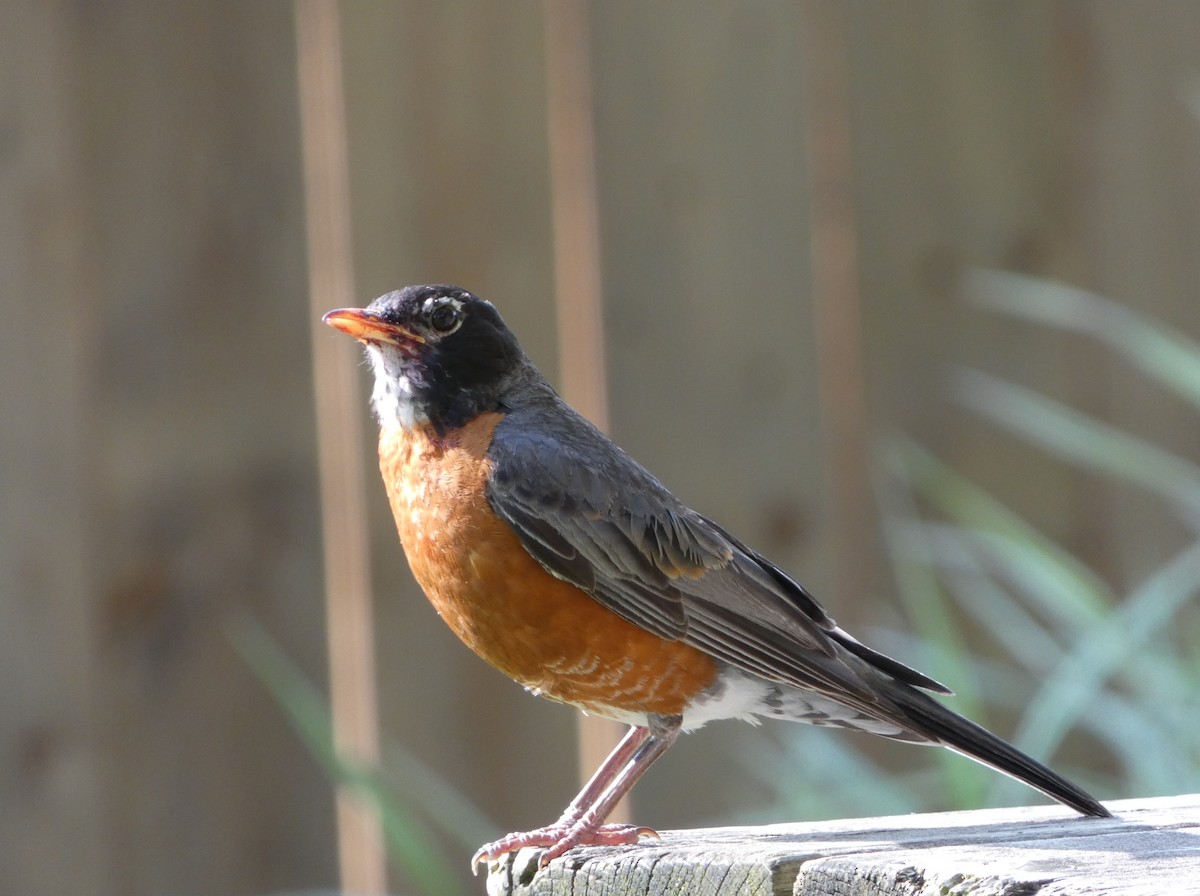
{"x": 340, "y": 425}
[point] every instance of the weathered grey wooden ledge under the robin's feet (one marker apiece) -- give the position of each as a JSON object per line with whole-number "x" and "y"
{"x": 1151, "y": 847}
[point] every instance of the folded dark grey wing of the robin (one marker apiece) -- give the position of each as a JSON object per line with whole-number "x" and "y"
{"x": 592, "y": 516}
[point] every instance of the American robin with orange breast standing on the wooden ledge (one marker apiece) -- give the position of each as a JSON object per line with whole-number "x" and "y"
{"x": 565, "y": 564}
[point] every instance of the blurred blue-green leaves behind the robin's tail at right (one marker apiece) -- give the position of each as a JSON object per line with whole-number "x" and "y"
{"x": 1119, "y": 669}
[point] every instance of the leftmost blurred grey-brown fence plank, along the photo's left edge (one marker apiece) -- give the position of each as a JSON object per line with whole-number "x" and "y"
{"x": 52, "y": 834}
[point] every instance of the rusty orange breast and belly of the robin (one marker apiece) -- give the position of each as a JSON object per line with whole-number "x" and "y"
{"x": 541, "y": 632}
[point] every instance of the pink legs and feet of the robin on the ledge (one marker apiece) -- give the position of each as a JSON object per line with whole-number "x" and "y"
{"x": 583, "y": 823}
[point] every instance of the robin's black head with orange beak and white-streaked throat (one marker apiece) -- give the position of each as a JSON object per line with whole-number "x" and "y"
{"x": 441, "y": 356}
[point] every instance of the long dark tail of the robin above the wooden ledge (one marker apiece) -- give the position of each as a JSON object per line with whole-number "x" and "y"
{"x": 965, "y": 737}
